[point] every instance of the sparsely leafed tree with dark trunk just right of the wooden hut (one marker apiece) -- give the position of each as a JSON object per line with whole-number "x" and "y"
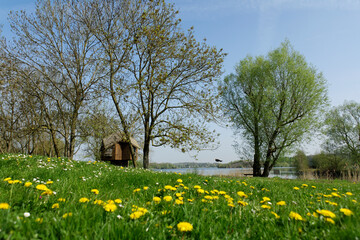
{"x": 171, "y": 78}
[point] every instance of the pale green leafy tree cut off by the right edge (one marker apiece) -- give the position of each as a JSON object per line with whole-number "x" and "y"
{"x": 343, "y": 131}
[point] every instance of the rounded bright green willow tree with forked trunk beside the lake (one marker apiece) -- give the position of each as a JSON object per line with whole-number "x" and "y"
{"x": 275, "y": 101}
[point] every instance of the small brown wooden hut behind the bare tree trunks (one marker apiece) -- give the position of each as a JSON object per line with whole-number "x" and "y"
{"x": 115, "y": 149}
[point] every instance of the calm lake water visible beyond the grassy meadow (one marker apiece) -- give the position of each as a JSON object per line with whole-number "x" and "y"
{"x": 282, "y": 172}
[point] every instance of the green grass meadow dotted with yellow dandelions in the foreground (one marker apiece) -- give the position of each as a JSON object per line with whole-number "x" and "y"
{"x": 221, "y": 217}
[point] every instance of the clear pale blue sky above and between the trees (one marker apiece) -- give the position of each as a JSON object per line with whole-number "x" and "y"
{"x": 326, "y": 32}
